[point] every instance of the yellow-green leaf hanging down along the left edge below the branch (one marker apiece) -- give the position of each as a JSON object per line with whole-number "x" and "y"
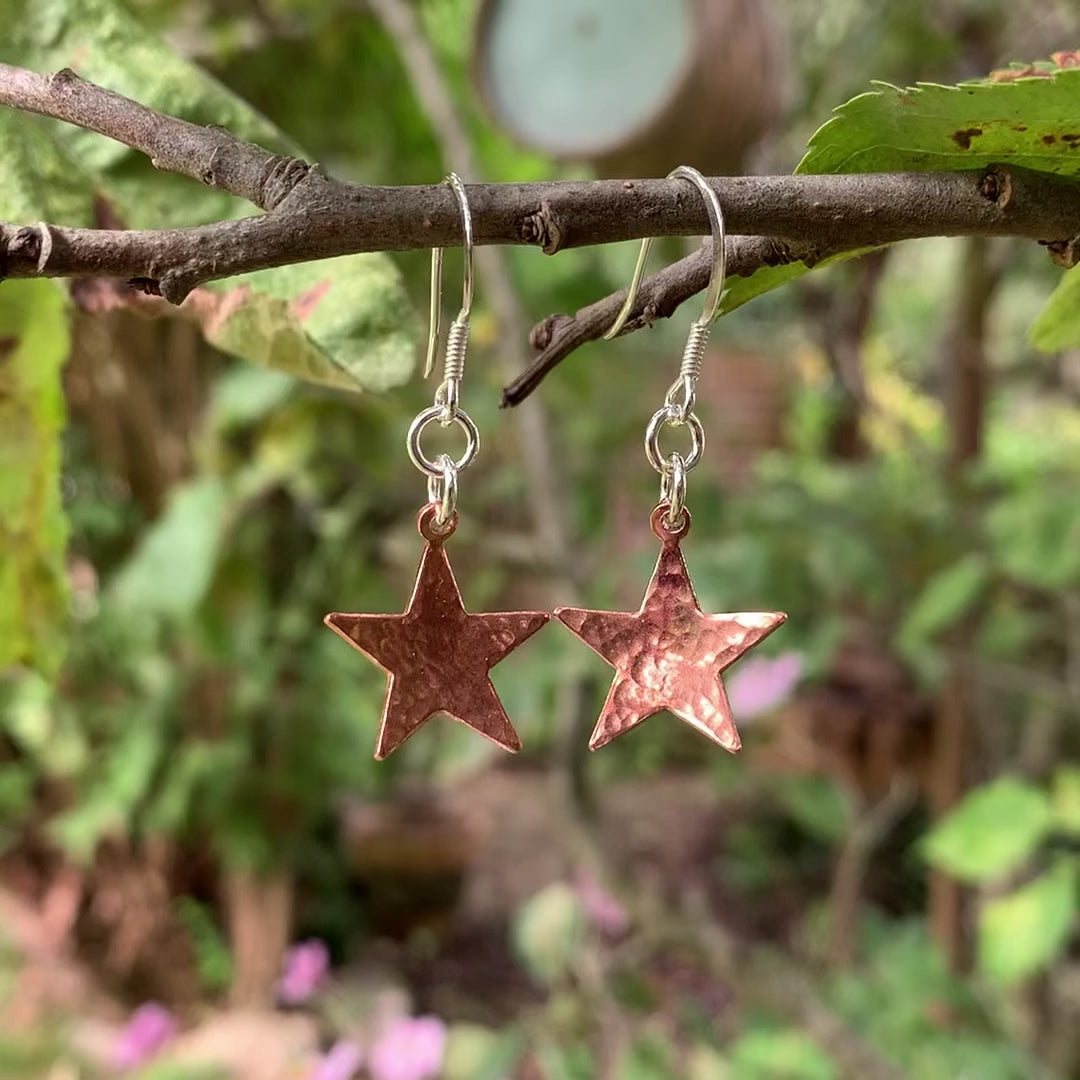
{"x": 34, "y": 346}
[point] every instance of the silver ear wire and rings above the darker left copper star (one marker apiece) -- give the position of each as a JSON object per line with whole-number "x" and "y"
{"x": 443, "y": 472}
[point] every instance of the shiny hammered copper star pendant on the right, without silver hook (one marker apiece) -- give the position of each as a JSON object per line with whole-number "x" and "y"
{"x": 669, "y": 655}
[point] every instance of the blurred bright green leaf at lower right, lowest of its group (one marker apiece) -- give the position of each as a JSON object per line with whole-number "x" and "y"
{"x": 1021, "y": 934}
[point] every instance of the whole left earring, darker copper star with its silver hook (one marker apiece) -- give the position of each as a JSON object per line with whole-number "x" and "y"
{"x": 438, "y": 655}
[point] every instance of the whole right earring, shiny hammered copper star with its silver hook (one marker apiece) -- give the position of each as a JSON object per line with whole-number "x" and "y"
{"x": 670, "y": 654}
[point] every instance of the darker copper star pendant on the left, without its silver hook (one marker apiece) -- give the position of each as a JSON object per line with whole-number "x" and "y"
{"x": 438, "y": 655}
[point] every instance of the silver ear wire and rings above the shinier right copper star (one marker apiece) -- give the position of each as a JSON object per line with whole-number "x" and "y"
{"x": 674, "y": 468}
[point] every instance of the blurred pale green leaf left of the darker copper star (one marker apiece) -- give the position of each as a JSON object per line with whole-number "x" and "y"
{"x": 173, "y": 566}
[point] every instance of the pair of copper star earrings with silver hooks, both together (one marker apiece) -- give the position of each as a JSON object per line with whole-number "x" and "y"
{"x": 668, "y": 656}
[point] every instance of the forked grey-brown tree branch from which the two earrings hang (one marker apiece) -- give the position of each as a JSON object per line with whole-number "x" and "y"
{"x": 772, "y": 220}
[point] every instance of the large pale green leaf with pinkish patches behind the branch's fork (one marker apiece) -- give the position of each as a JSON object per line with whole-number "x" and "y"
{"x": 344, "y": 322}
